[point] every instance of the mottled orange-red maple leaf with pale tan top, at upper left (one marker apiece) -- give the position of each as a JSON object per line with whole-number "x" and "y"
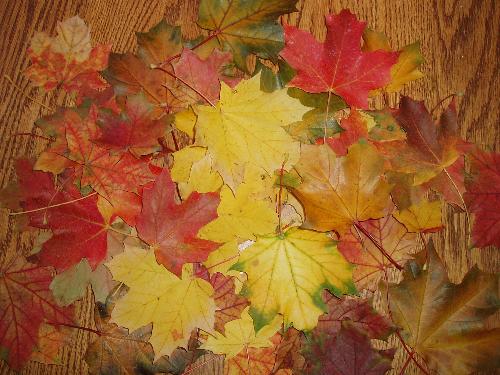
{"x": 67, "y": 59}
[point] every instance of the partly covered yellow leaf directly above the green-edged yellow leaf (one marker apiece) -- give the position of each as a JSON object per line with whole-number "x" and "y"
{"x": 241, "y": 216}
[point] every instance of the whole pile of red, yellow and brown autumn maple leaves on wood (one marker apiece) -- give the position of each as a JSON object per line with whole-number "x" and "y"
{"x": 236, "y": 198}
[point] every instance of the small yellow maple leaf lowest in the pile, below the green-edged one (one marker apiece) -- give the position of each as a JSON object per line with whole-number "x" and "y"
{"x": 240, "y": 334}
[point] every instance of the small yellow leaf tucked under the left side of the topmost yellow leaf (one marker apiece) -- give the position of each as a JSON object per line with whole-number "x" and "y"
{"x": 192, "y": 170}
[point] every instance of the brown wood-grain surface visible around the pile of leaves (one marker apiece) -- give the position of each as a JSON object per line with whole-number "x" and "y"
{"x": 459, "y": 40}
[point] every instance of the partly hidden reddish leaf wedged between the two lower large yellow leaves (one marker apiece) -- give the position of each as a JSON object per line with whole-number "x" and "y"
{"x": 229, "y": 304}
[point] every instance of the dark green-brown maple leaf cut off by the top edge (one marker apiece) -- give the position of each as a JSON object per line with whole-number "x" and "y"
{"x": 246, "y": 27}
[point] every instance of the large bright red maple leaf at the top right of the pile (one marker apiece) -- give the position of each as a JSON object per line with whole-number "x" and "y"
{"x": 338, "y": 65}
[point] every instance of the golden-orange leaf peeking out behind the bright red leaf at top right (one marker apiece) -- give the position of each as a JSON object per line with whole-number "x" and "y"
{"x": 409, "y": 60}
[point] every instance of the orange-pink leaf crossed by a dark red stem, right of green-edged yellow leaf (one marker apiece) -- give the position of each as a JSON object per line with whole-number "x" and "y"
{"x": 359, "y": 248}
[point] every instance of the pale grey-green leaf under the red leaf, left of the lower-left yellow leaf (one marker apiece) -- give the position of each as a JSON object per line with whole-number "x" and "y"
{"x": 71, "y": 285}
